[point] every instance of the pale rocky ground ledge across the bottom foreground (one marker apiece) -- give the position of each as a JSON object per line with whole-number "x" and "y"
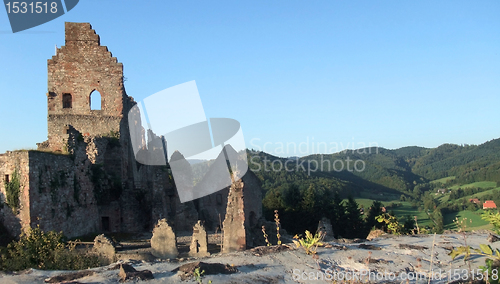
{"x": 400, "y": 258}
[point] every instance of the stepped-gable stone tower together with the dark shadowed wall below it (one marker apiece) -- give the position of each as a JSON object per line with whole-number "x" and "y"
{"x": 80, "y": 67}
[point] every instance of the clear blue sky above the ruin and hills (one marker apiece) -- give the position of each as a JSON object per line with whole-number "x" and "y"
{"x": 344, "y": 73}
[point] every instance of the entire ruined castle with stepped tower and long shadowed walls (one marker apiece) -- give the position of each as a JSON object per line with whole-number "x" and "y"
{"x": 84, "y": 178}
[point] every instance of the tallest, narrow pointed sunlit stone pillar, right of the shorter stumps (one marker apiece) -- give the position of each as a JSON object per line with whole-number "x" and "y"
{"x": 234, "y": 223}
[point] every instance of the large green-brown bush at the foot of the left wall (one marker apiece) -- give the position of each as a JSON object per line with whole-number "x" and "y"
{"x": 44, "y": 250}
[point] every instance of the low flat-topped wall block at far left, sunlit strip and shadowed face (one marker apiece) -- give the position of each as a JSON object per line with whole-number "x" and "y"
{"x": 55, "y": 193}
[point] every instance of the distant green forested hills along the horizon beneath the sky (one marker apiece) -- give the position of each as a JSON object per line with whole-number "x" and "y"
{"x": 378, "y": 170}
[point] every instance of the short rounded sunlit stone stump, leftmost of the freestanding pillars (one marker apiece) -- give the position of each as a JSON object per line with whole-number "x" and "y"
{"x": 164, "y": 242}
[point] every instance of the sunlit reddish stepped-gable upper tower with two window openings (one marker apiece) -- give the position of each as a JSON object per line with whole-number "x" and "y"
{"x": 82, "y": 68}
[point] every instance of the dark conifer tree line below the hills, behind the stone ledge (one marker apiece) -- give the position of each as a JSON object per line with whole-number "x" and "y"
{"x": 301, "y": 210}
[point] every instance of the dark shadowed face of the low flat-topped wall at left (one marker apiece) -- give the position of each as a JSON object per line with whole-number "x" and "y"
{"x": 61, "y": 194}
